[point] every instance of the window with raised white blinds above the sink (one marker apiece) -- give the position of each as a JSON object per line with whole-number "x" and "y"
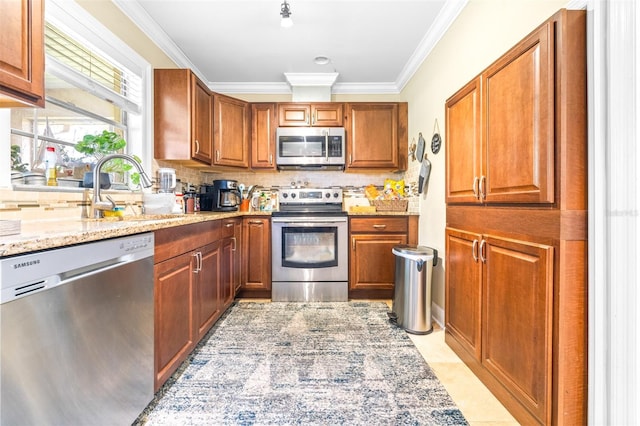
{"x": 86, "y": 93}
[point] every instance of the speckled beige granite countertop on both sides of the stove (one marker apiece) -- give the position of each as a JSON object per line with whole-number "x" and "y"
{"x": 51, "y": 233}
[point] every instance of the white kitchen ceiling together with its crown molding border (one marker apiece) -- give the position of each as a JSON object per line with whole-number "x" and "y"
{"x": 238, "y": 46}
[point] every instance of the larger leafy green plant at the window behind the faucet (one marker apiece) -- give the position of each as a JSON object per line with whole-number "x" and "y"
{"x": 105, "y": 143}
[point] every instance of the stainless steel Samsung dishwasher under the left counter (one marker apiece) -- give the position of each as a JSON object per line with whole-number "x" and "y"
{"x": 76, "y": 334}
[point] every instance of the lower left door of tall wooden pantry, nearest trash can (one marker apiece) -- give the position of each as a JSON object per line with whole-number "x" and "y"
{"x": 463, "y": 289}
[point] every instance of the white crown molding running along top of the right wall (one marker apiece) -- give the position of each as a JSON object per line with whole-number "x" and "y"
{"x": 441, "y": 24}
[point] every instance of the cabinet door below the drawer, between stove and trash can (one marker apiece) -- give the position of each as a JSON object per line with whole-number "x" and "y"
{"x": 372, "y": 265}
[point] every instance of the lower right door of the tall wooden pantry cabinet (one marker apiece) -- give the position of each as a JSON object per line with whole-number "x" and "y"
{"x": 517, "y": 326}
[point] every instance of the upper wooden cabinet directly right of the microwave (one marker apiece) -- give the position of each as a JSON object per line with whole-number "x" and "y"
{"x": 376, "y": 136}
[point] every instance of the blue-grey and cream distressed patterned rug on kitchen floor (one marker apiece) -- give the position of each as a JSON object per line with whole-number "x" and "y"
{"x": 304, "y": 364}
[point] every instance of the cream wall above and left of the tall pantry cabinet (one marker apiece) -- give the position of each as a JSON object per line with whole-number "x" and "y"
{"x": 483, "y": 31}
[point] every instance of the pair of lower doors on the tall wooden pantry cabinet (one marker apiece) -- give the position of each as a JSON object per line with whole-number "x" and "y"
{"x": 499, "y": 309}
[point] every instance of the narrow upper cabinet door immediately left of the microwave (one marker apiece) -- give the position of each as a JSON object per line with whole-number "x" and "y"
{"x": 263, "y": 136}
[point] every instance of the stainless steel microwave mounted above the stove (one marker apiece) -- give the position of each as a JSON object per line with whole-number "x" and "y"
{"x": 310, "y": 148}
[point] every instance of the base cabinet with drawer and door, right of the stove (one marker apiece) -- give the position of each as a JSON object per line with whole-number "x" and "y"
{"x": 371, "y": 263}
